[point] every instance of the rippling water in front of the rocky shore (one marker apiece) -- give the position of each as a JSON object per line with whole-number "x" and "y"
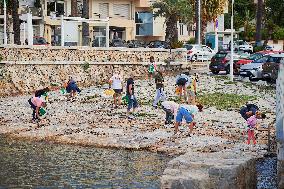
{"x": 42, "y": 165}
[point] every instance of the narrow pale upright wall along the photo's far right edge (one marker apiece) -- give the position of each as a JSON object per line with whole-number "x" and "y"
{"x": 280, "y": 126}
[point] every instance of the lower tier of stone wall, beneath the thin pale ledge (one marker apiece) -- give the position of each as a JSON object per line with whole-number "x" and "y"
{"x": 19, "y": 79}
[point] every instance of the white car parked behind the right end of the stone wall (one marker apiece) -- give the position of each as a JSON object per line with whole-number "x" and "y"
{"x": 198, "y": 52}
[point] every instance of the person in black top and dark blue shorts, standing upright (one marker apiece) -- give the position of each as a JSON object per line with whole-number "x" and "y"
{"x": 132, "y": 101}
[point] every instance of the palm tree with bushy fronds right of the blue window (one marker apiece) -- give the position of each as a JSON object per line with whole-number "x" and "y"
{"x": 173, "y": 11}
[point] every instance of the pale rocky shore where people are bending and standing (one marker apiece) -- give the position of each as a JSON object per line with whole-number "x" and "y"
{"x": 91, "y": 121}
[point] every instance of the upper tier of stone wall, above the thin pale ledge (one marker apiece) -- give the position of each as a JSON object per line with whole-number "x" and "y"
{"x": 45, "y": 54}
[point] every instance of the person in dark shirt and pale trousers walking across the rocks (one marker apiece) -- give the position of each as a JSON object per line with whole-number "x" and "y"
{"x": 160, "y": 94}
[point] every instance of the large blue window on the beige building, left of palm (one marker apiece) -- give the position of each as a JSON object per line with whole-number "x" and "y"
{"x": 144, "y": 23}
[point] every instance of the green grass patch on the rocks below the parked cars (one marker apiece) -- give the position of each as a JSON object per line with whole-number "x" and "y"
{"x": 223, "y": 101}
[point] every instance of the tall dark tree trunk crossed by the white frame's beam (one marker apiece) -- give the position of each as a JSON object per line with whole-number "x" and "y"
{"x": 85, "y": 25}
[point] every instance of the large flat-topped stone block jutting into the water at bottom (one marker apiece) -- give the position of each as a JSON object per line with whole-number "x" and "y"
{"x": 220, "y": 170}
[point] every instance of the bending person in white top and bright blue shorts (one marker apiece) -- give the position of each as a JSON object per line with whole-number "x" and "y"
{"x": 187, "y": 112}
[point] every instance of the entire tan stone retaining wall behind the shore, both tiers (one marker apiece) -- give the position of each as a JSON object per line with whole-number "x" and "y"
{"x": 24, "y": 70}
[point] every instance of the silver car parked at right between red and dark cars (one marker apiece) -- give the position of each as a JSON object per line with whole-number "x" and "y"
{"x": 254, "y": 69}
